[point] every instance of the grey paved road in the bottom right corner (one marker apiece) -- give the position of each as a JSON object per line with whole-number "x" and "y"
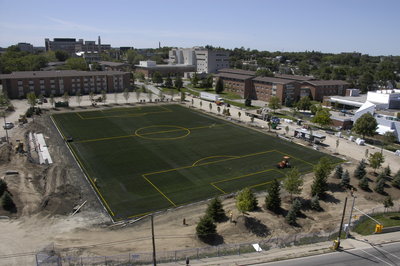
{"x": 388, "y": 254}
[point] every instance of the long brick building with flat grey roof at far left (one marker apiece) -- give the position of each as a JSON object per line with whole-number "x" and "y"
{"x": 18, "y": 84}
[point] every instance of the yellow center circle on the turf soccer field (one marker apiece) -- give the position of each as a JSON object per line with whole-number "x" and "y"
{"x": 162, "y": 132}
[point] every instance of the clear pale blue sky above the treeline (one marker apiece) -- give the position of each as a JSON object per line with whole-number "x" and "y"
{"x": 366, "y": 26}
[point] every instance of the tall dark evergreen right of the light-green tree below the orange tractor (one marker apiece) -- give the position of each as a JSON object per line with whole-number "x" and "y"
{"x": 321, "y": 173}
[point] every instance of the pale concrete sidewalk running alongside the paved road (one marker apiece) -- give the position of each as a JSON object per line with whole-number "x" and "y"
{"x": 360, "y": 242}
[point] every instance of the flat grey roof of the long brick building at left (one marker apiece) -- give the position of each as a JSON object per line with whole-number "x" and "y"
{"x": 56, "y": 73}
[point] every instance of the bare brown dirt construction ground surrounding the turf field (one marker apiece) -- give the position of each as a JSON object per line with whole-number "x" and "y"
{"x": 45, "y": 197}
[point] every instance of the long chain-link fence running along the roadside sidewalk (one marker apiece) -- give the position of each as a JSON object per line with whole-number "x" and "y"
{"x": 50, "y": 256}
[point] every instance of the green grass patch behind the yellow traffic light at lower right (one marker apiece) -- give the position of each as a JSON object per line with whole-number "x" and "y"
{"x": 367, "y": 226}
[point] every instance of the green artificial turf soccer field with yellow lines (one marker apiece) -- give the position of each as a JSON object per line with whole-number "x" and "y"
{"x": 148, "y": 158}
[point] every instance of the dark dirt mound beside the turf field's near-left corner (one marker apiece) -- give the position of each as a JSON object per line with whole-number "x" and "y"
{"x": 61, "y": 202}
